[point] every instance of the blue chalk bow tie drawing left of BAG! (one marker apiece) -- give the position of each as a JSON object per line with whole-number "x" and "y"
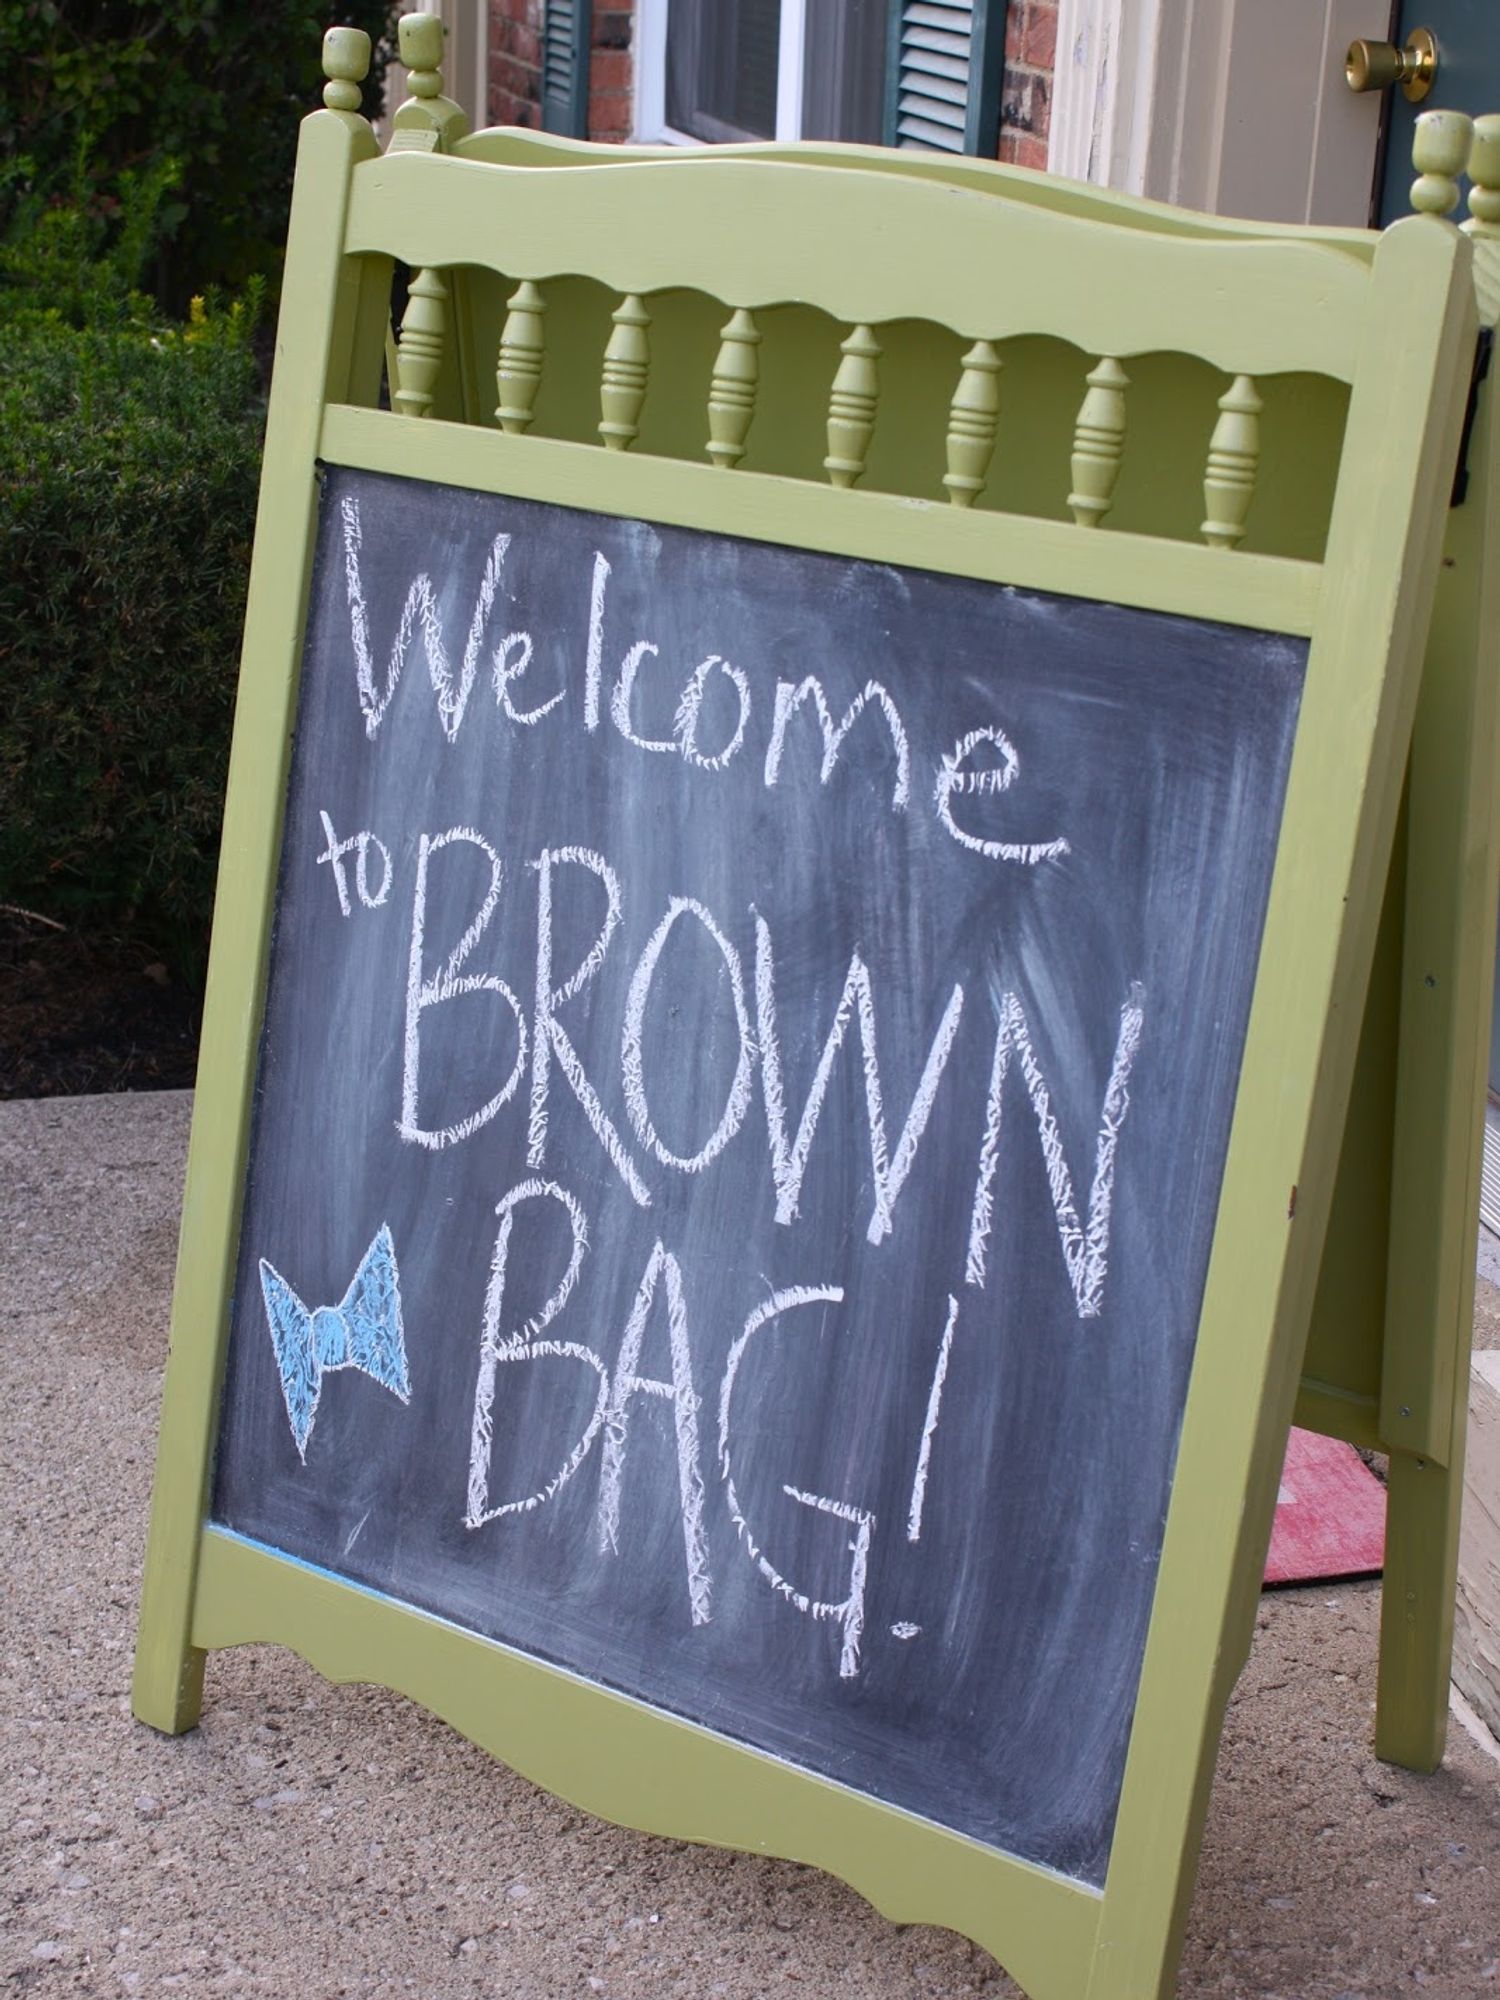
{"x": 363, "y": 1331}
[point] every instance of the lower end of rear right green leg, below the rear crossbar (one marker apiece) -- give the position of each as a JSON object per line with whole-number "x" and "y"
{"x": 1417, "y": 1611}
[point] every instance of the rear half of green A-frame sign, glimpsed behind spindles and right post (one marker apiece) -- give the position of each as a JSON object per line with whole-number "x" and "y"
{"x": 1387, "y": 1355}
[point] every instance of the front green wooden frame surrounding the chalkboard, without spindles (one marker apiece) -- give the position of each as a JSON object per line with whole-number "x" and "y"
{"x": 1395, "y": 327}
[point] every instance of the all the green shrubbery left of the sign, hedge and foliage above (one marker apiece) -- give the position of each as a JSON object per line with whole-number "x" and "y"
{"x": 145, "y": 147}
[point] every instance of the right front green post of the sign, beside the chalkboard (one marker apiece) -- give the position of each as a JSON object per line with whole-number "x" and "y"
{"x": 1223, "y": 1503}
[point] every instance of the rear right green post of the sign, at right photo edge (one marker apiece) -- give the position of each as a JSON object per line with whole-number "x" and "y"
{"x": 1447, "y": 989}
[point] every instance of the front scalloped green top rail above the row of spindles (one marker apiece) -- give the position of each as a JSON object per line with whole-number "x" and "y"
{"x": 725, "y": 229}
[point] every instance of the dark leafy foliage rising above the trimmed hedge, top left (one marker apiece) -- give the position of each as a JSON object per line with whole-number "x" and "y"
{"x": 215, "y": 87}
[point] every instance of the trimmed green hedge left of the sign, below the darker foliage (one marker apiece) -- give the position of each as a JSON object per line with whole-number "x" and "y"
{"x": 129, "y": 463}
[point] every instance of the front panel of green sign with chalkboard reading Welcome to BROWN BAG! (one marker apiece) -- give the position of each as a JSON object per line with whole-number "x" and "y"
{"x": 359, "y": 503}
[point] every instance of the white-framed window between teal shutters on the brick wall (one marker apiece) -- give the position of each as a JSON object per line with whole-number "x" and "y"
{"x": 715, "y": 71}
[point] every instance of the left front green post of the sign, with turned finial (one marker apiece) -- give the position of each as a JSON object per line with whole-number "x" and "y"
{"x": 311, "y": 367}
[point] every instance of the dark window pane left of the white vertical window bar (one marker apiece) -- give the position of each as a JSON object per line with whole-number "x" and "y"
{"x": 721, "y": 67}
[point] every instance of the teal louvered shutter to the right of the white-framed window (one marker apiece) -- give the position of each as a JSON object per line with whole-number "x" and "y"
{"x": 943, "y": 75}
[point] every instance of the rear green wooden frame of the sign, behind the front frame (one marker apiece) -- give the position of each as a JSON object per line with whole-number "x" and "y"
{"x": 1387, "y": 1355}
